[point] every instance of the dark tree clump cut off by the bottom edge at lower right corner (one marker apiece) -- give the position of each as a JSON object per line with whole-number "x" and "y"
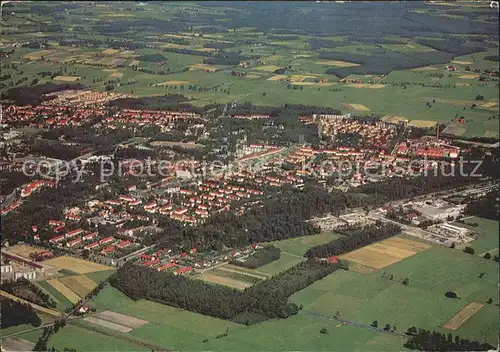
{"x": 426, "y": 340}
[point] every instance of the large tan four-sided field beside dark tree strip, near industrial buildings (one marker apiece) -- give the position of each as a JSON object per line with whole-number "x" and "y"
{"x": 386, "y": 252}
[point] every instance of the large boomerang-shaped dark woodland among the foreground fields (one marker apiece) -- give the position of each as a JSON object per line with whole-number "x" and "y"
{"x": 268, "y": 298}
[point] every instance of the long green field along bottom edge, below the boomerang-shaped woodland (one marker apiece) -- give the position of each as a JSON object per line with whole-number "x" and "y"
{"x": 182, "y": 330}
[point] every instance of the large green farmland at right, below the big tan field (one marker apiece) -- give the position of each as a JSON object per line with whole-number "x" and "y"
{"x": 368, "y": 297}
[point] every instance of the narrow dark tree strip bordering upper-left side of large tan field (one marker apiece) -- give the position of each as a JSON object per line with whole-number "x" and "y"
{"x": 355, "y": 239}
